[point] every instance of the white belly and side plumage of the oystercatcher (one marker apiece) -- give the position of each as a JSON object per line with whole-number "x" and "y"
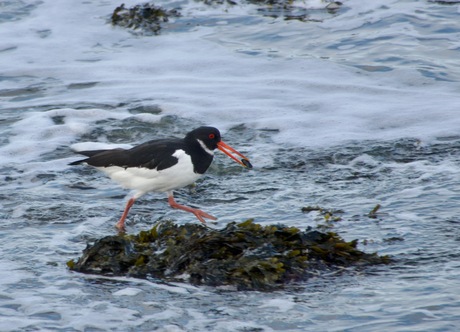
{"x": 144, "y": 180}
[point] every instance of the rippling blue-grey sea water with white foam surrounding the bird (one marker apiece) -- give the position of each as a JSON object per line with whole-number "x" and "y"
{"x": 342, "y": 109}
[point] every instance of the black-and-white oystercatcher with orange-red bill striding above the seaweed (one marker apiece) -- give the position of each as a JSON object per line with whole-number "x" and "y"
{"x": 162, "y": 165}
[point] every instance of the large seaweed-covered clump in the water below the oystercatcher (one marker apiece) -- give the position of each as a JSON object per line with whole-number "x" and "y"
{"x": 247, "y": 255}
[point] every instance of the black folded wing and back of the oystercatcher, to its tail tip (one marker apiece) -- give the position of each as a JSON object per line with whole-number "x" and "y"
{"x": 157, "y": 154}
